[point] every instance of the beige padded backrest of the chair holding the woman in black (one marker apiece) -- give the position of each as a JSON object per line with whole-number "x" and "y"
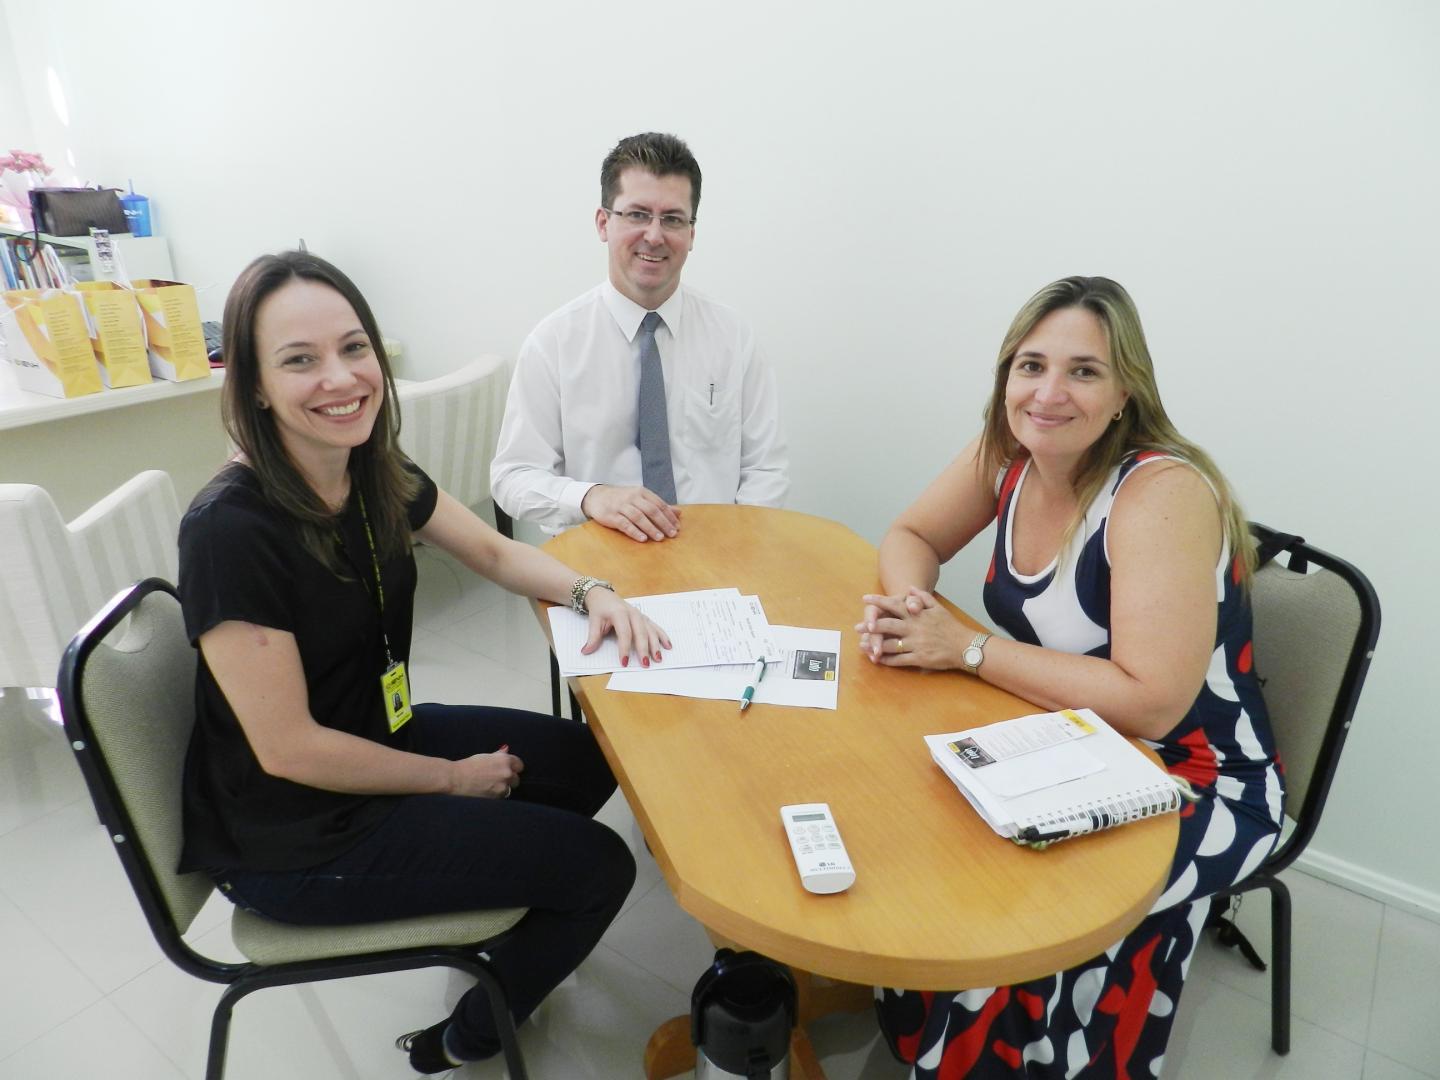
{"x": 129, "y": 709}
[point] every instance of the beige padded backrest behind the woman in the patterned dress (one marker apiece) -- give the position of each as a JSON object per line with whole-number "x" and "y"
{"x": 1317, "y": 620}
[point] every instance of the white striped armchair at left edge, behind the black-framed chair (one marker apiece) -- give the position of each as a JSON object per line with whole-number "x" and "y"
{"x": 58, "y": 575}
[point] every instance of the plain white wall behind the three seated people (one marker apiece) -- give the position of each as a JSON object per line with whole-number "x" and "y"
{"x": 885, "y": 186}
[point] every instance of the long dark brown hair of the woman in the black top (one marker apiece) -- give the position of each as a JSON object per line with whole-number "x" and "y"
{"x": 378, "y": 469}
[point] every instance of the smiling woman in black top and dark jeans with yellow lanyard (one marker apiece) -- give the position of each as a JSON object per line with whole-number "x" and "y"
{"x": 315, "y": 793}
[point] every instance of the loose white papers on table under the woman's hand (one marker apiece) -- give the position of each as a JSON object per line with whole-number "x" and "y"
{"x": 716, "y": 636}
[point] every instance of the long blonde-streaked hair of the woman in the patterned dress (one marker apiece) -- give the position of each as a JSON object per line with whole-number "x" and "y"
{"x": 1144, "y": 424}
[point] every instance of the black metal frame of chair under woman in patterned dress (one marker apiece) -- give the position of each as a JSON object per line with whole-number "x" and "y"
{"x": 1301, "y": 555}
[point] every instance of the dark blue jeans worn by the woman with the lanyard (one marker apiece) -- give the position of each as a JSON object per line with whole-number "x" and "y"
{"x": 447, "y": 853}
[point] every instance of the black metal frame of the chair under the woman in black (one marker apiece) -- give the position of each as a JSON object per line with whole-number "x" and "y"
{"x": 240, "y": 980}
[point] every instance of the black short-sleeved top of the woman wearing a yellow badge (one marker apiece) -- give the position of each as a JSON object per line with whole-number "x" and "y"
{"x": 243, "y": 561}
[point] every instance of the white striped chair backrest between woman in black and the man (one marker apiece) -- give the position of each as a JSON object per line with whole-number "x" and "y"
{"x": 450, "y": 427}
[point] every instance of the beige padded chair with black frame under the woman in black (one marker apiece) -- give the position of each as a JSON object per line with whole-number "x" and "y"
{"x": 129, "y": 708}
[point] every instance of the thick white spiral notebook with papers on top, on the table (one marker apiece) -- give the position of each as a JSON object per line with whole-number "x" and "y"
{"x": 1050, "y": 777}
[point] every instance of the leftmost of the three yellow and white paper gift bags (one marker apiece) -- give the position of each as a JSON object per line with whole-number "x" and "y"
{"x": 47, "y": 343}
